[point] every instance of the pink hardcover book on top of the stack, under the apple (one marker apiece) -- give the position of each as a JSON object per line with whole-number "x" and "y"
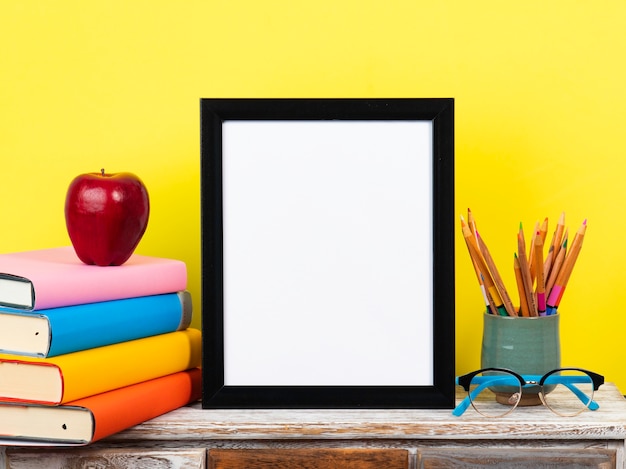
{"x": 55, "y": 277}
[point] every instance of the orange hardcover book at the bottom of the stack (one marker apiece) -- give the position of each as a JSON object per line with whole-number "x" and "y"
{"x": 90, "y": 419}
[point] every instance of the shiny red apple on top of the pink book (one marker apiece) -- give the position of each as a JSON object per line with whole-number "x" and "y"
{"x": 106, "y": 215}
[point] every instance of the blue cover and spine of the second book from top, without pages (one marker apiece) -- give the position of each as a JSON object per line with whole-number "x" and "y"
{"x": 92, "y": 325}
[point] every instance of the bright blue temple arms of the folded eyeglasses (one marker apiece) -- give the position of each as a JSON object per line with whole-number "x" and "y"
{"x": 486, "y": 381}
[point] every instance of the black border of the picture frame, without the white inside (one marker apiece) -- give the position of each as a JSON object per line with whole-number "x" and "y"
{"x": 215, "y": 394}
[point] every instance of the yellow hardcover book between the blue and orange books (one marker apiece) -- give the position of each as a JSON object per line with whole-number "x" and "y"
{"x": 65, "y": 378}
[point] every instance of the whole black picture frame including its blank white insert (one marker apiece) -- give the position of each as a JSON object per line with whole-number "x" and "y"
{"x": 229, "y": 129}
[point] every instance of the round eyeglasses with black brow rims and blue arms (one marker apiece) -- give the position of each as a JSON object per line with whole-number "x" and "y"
{"x": 496, "y": 392}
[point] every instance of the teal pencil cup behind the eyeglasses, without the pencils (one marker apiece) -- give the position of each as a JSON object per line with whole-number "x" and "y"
{"x": 526, "y": 345}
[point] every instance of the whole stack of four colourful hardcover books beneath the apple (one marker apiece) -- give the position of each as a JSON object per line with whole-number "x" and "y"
{"x": 88, "y": 351}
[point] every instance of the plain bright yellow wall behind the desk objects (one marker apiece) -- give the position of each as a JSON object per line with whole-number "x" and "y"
{"x": 540, "y": 119}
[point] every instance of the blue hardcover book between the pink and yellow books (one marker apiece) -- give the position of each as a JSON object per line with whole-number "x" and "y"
{"x": 57, "y": 331}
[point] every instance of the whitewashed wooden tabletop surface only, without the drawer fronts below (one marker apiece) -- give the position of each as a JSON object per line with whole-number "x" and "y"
{"x": 193, "y": 423}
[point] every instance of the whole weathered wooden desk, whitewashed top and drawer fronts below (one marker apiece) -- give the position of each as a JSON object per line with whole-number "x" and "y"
{"x": 529, "y": 437}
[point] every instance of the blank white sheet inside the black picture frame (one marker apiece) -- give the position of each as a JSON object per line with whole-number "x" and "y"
{"x": 328, "y": 253}
